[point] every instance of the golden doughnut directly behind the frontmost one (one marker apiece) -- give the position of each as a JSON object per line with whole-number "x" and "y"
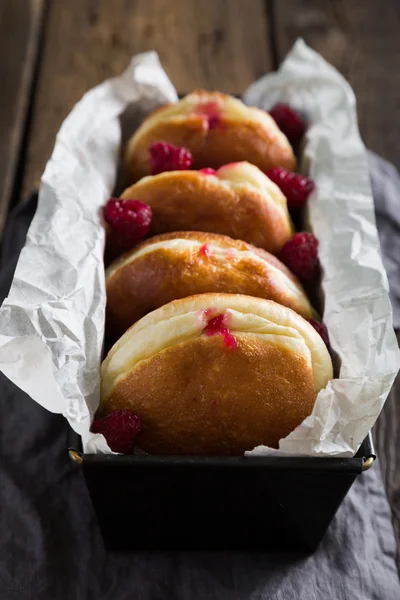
{"x": 176, "y": 265}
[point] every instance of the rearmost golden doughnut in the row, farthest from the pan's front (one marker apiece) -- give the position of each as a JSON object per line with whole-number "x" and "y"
{"x": 217, "y": 128}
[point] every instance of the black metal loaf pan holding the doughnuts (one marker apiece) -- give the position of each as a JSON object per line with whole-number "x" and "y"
{"x": 211, "y": 503}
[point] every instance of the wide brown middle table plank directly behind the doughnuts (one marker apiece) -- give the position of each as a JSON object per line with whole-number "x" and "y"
{"x": 212, "y": 44}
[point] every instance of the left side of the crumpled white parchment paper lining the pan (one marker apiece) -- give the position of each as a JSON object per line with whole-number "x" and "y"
{"x": 52, "y": 323}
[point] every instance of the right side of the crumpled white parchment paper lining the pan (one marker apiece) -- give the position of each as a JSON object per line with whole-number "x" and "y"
{"x": 357, "y": 308}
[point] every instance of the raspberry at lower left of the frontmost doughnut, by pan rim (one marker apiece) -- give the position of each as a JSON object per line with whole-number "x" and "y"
{"x": 121, "y": 429}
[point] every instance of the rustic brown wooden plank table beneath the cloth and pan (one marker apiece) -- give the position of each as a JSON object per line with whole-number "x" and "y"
{"x": 53, "y": 51}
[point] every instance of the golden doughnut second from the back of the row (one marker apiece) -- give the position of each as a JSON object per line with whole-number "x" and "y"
{"x": 238, "y": 201}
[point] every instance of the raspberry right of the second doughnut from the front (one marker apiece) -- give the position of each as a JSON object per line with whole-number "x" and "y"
{"x": 300, "y": 254}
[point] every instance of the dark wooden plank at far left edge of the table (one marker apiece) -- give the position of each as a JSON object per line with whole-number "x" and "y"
{"x": 20, "y": 26}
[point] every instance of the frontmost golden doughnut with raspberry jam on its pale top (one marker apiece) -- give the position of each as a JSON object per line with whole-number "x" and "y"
{"x": 196, "y": 394}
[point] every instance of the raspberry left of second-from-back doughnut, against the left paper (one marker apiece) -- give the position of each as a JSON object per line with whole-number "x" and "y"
{"x": 130, "y": 221}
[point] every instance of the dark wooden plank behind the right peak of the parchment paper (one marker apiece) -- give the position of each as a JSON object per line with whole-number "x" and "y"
{"x": 362, "y": 40}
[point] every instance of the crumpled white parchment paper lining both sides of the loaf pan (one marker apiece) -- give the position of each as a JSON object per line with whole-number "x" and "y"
{"x": 52, "y": 323}
